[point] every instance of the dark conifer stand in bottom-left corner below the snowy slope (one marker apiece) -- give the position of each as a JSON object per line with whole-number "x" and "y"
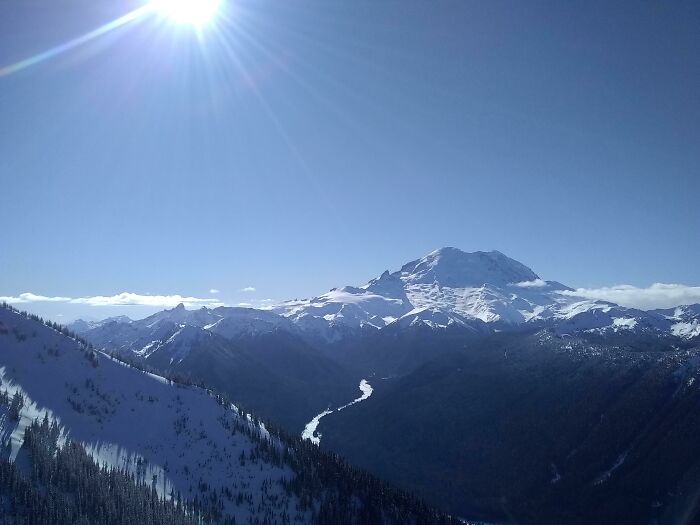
{"x": 64, "y": 486}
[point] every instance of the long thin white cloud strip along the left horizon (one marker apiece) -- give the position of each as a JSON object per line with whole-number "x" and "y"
{"x": 122, "y": 299}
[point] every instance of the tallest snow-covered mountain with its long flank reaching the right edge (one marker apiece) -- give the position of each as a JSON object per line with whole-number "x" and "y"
{"x": 482, "y": 291}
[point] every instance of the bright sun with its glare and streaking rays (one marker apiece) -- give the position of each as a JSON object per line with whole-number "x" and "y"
{"x": 231, "y": 28}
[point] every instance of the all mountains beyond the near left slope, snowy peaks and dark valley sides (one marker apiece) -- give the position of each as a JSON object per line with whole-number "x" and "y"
{"x": 495, "y": 394}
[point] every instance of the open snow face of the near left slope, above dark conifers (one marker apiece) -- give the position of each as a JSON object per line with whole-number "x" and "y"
{"x": 128, "y": 418}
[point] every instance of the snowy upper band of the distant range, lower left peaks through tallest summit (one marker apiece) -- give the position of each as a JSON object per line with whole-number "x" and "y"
{"x": 482, "y": 292}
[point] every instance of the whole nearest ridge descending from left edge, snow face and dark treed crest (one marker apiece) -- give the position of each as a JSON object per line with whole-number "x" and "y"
{"x": 185, "y": 442}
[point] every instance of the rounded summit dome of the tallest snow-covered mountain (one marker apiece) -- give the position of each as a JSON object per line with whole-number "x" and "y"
{"x": 455, "y": 268}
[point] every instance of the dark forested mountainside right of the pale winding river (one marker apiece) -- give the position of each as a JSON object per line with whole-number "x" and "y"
{"x": 532, "y": 428}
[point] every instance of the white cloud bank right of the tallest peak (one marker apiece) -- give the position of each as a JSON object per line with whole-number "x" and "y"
{"x": 658, "y": 295}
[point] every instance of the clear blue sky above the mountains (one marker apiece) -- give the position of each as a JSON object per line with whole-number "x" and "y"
{"x": 295, "y": 146}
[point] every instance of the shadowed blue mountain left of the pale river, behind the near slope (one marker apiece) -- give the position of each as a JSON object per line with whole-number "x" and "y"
{"x": 255, "y": 356}
